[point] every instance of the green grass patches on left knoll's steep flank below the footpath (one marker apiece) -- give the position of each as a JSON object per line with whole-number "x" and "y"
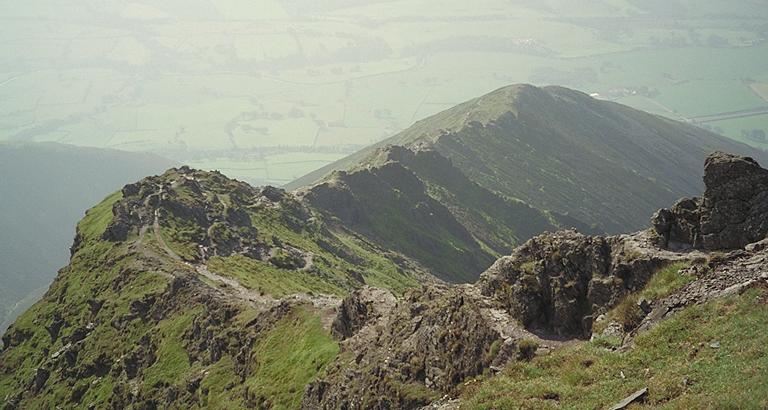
{"x": 285, "y": 358}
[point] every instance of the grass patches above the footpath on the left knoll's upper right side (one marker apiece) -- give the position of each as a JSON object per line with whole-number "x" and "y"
{"x": 285, "y": 224}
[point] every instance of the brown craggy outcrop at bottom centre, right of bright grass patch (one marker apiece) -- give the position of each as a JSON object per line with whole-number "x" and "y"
{"x": 433, "y": 340}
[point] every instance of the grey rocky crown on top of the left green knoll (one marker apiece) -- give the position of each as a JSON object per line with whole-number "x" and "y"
{"x": 211, "y": 212}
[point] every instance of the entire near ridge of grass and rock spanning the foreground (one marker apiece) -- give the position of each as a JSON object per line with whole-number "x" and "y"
{"x": 191, "y": 290}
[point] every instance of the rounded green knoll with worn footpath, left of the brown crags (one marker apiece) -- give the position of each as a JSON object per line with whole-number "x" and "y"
{"x": 189, "y": 289}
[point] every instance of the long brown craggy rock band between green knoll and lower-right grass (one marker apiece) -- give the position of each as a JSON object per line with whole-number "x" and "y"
{"x": 409, "y": 352}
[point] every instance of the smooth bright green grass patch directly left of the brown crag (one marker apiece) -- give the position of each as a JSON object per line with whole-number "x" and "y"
{"x": 288, "y": 358}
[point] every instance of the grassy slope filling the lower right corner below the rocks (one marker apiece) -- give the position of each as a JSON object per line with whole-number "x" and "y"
{"x": 674, "y": 360}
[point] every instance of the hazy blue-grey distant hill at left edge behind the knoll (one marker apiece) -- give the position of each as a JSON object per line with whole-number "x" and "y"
{"x": 45, "y": 189}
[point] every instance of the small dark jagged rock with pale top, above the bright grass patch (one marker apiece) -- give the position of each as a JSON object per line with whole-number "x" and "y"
{"x": 359, "y": 309}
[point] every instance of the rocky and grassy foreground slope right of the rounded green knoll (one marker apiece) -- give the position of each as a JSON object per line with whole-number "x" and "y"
{"x": 569, "y": 321}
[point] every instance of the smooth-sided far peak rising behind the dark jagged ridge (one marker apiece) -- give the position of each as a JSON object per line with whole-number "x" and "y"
{"x": 560, "y": 150}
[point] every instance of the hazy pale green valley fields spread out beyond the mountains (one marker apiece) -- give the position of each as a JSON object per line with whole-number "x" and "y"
{"x": 236, "y": 85}
